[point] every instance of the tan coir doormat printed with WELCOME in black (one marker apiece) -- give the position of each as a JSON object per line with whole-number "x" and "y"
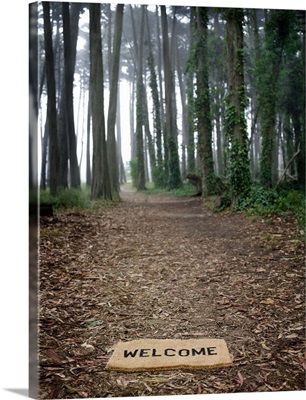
{"x": 167, "y": 354}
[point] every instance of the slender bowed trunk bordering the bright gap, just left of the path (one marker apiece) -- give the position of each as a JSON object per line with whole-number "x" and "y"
{"x": 111, "y": 120}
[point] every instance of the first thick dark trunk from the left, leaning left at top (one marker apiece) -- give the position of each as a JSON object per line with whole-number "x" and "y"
{"x": 51, "y": 108}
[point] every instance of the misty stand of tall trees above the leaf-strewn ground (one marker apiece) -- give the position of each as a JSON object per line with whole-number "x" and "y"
{"x": 208, "y": 92}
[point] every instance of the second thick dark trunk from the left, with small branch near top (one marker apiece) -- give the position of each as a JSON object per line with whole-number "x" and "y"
{"x": 69, "y": 56}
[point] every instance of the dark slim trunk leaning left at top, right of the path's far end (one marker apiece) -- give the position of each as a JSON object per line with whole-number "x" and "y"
{"x": 174, "y": 180}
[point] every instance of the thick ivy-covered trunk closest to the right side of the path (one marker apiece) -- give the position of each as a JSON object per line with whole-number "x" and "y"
{"x": 235, "y": 121}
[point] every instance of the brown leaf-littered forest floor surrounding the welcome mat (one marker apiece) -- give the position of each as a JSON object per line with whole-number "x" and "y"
{"x": 158, "y": 266}
